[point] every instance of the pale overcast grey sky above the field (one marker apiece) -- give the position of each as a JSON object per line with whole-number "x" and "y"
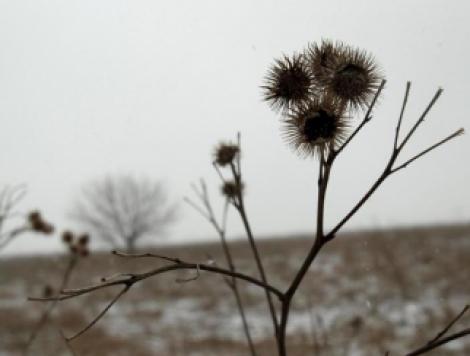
{"x": 89, "y": 88}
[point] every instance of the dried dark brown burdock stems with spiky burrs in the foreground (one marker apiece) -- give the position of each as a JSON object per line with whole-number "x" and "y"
{"x": 317, "y": 93}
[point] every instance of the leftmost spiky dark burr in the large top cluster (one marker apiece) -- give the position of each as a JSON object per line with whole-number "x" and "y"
{"x": 288, "y": 83}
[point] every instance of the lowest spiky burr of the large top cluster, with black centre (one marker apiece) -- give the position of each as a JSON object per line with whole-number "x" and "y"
{"x": 315, "y": 127}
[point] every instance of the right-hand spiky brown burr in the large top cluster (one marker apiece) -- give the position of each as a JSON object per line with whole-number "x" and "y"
{"x": 355, "y": 78}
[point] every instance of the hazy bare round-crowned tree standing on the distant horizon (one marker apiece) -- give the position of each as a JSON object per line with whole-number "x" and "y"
{"x": 123, "y": 210}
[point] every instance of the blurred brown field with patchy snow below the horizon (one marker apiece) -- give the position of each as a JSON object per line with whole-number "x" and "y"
{"x": 367, "y": 293}
